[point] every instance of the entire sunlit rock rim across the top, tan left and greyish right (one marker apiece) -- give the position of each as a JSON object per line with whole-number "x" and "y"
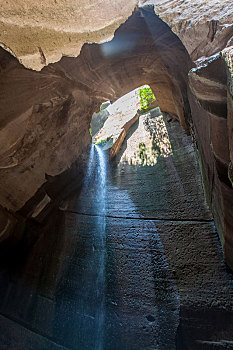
{"x": 39, "y": 34}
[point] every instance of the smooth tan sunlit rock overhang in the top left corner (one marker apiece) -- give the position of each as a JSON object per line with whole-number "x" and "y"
{"x": 39, "y": 33}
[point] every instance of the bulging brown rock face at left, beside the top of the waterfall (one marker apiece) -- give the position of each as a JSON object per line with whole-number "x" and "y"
{"x": 40, "y": 133}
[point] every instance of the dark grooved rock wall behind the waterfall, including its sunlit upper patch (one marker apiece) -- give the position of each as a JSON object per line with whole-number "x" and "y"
{"x": 164, "y": 284}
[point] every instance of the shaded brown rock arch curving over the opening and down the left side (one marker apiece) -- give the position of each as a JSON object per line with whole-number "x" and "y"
{"x": 53, "y": 107}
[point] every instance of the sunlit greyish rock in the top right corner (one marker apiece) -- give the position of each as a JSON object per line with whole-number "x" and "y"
{"x": 204, "y": 27}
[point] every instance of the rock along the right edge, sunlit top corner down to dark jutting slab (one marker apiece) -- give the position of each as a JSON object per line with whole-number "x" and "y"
{"x": 205, "y": 28}
